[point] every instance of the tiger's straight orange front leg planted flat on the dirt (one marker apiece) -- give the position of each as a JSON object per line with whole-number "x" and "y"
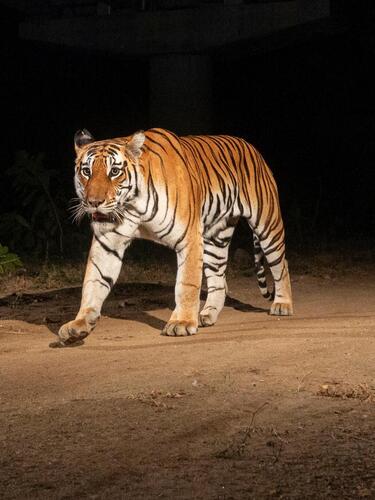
{"x": 184, "y": 319}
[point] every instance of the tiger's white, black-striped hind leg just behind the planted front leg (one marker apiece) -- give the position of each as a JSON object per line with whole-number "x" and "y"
{"x": 215, "y": 260}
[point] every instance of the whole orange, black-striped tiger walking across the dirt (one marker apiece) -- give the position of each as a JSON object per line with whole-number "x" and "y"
{"x": 185, "y": 192}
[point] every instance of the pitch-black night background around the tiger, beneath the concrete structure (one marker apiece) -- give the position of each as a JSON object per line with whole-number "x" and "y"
{"x": 309, "y": 107}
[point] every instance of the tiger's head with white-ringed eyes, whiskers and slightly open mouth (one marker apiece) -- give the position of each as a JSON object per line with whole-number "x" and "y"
{"x": 106, "y": 175}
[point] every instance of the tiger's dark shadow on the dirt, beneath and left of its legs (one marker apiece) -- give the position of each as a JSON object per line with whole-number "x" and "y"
{"x": 127, "y": 301}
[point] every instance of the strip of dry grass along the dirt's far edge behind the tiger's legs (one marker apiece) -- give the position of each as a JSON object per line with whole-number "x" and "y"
{"x": 160, "y": 265}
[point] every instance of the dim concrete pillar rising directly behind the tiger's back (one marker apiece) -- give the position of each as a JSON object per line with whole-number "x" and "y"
{"x": 181, "y": 93}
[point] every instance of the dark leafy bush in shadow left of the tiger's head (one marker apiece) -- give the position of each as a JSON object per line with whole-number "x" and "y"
{"x": 37, "y": 218}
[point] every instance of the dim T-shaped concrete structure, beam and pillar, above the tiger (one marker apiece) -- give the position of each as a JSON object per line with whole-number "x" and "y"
{"x": 179, "y": 43}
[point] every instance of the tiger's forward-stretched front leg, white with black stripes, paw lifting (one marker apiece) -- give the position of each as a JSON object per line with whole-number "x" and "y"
{"x": 103, "y": 267}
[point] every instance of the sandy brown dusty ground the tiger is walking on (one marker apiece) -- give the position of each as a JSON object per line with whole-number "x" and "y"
{"x": 254, "y": 407}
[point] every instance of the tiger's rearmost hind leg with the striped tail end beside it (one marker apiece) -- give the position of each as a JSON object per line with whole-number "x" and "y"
{"x": 273, "y": 246}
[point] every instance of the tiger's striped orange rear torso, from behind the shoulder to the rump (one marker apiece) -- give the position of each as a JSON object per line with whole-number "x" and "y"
{"x": 236, "y": 173}
